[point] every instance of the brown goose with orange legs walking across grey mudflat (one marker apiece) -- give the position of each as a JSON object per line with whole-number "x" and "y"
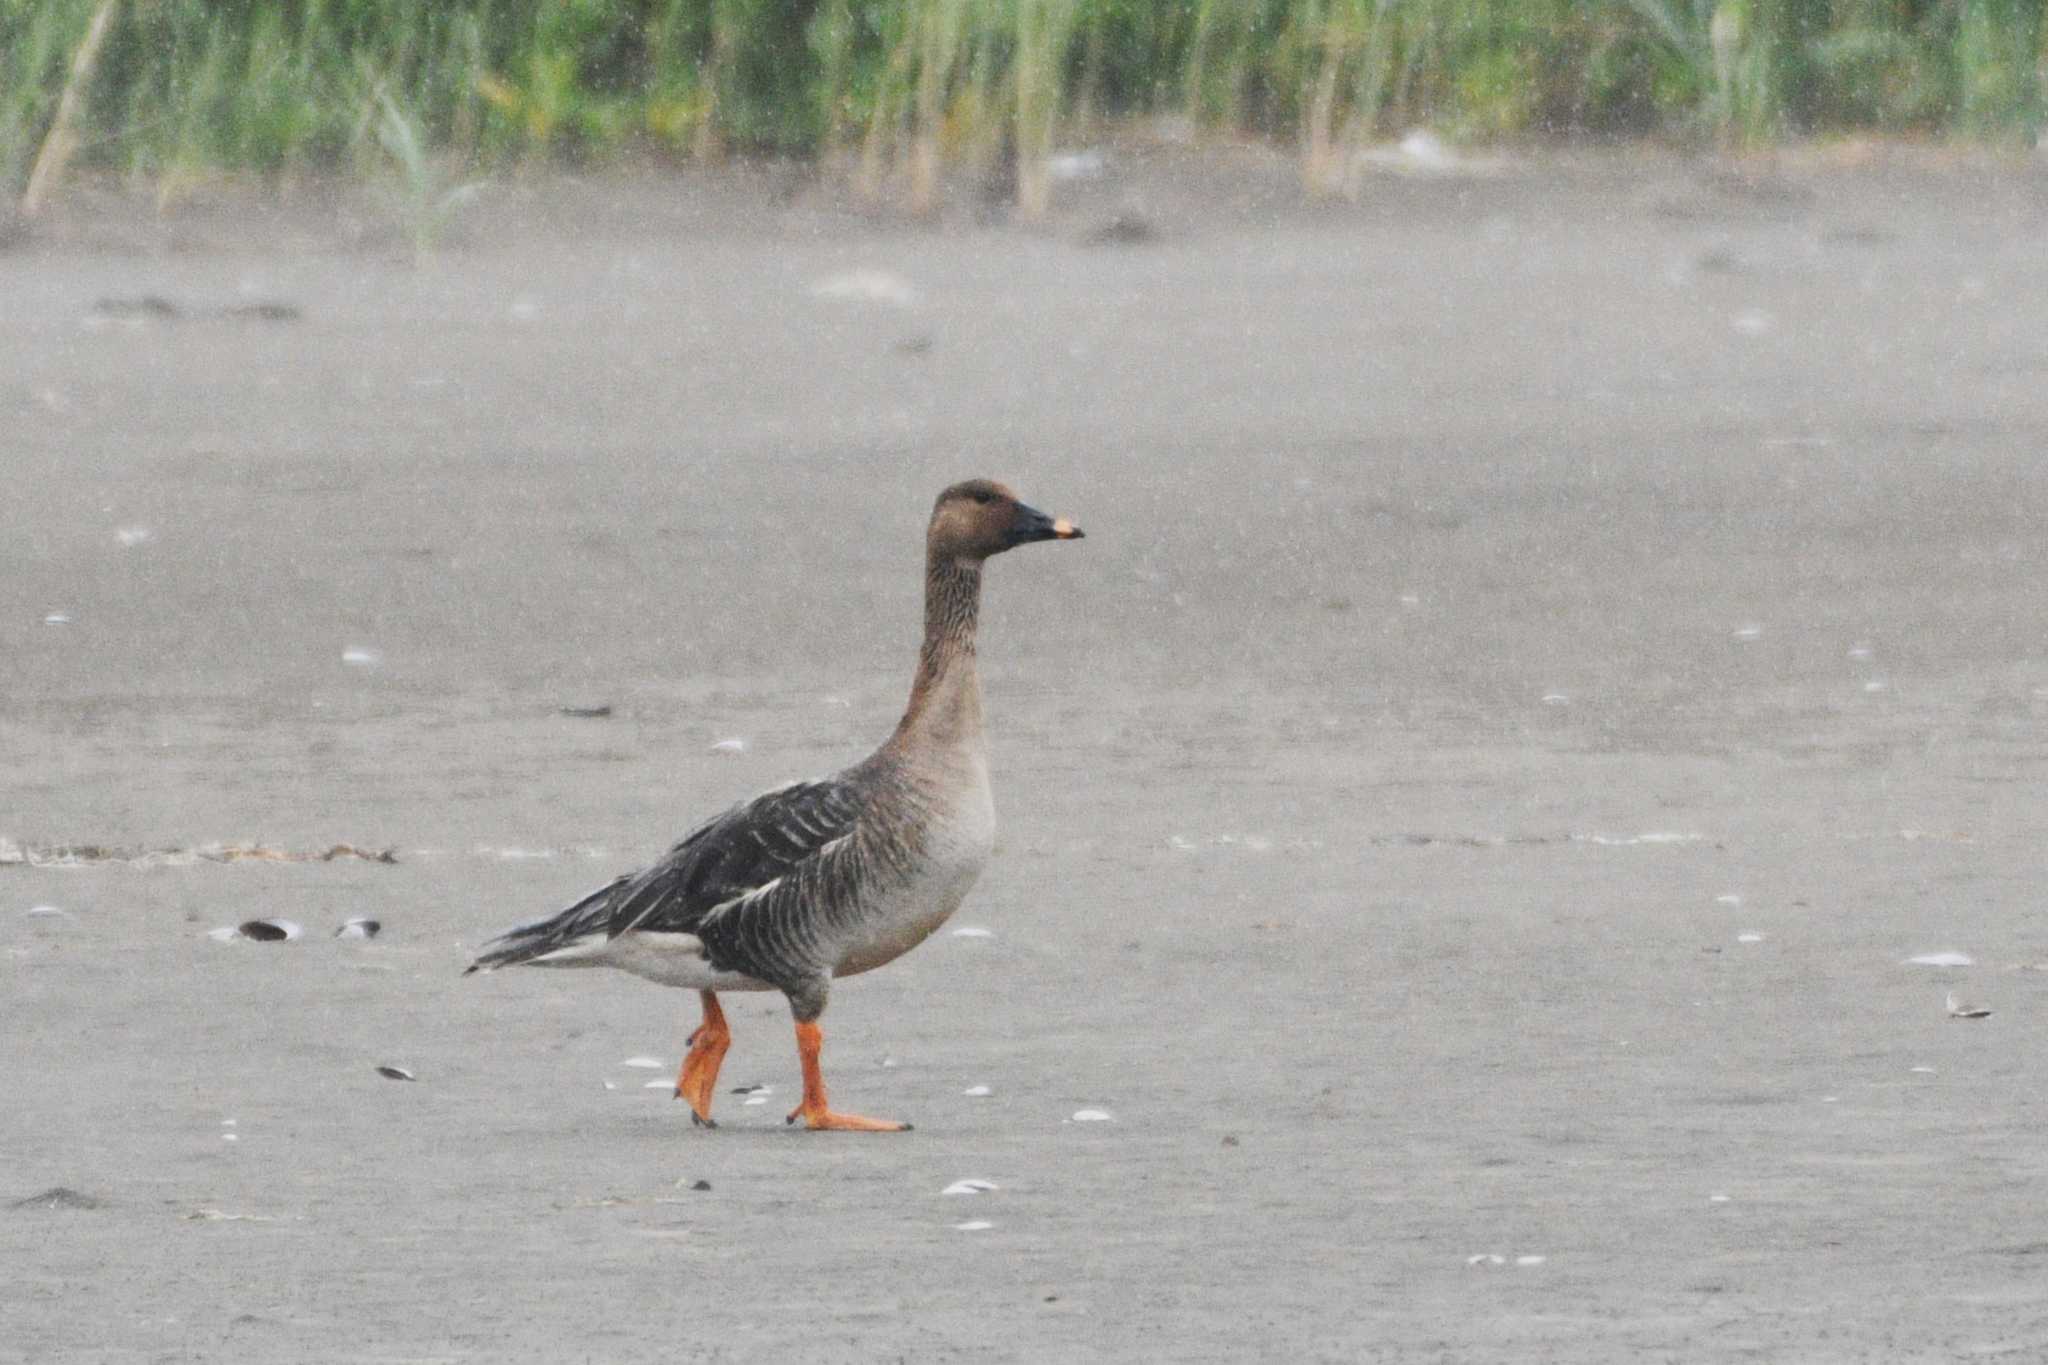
{"x": 820, "y": 879}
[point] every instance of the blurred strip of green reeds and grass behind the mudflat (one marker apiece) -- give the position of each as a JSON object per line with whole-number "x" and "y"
{"x": 900, "y": 89}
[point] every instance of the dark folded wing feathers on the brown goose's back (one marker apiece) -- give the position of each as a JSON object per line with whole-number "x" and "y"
{"x": 736, "y": 854}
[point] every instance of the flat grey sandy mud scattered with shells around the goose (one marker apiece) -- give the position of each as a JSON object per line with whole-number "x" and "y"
{"x": 1547, "y": 652}
